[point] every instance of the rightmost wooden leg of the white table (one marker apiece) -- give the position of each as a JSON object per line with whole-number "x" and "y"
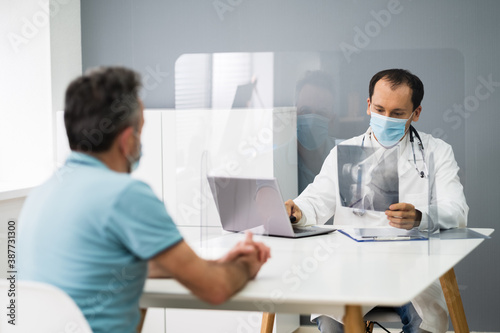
{"x": 454, "y": 301}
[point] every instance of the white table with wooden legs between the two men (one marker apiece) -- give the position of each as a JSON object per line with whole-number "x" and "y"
{"x": 319, "y": 274}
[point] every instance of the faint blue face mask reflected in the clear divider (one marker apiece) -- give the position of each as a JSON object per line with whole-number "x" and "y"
{"x": 312, "y": 130}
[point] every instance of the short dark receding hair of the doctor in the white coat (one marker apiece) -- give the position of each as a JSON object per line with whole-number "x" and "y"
{"x": 398, "y": 77}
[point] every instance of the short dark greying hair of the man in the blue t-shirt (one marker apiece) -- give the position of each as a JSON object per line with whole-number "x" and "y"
{"x": 99, "y": 105}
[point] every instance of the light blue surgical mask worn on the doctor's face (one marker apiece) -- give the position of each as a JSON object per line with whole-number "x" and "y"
{"x": 388, "y": 131}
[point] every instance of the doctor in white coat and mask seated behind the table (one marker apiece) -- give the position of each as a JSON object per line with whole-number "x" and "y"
{"x": 393, "y": 104}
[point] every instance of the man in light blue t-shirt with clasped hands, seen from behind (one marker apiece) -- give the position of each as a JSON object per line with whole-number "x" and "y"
{"x": 91, "y": 229}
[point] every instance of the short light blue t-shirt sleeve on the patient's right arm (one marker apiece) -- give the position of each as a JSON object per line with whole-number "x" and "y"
{"x": 141, "y": 223}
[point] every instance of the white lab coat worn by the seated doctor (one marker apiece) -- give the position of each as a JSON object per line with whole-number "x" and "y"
{"x": 319, "y": 201}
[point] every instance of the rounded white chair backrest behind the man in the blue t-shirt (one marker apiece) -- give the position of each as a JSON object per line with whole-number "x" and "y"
{"x": 40, "y": 308}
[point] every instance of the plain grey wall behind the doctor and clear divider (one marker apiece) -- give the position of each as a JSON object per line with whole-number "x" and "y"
{"x": 452, "y": 45}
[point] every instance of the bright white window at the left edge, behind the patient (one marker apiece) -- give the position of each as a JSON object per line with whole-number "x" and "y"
{"x": 25, "y": 85}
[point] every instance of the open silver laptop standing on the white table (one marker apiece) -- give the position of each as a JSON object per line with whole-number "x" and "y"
{"x": 255, "y": 205}
